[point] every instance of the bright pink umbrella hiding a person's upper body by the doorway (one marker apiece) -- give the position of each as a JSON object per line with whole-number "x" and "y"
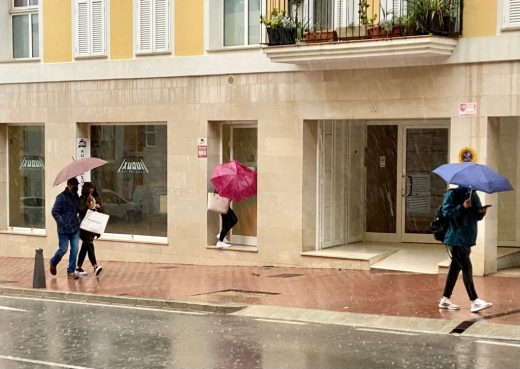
{"x": 234, "y": 180}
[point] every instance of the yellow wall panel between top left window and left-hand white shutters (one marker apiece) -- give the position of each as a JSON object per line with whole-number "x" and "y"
{"x": 57, "y": 31}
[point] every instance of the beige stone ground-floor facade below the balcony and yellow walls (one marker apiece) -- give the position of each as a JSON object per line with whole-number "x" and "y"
{"x": 343, "y": 148}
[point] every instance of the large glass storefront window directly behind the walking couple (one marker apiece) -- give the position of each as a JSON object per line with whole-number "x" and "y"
{"x": 132, "y": 185}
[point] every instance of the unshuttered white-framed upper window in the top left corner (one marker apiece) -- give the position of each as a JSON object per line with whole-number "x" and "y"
{"x": 25, "y": 29}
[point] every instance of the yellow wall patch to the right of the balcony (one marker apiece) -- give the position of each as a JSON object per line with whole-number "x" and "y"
{"x": 480, "y": 18}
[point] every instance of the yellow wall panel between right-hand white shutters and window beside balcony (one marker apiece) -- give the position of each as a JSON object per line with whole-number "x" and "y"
{"x": 189, "y": 27}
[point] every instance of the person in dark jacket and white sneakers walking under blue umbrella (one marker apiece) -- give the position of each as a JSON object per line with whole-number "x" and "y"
{"x": 463, "y": 209}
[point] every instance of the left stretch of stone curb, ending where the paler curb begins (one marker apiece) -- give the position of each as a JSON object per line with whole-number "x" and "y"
{"x": 118, "y": 300}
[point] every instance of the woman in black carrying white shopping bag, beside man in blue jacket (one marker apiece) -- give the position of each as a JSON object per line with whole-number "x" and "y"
{"x": 89, "y": 200}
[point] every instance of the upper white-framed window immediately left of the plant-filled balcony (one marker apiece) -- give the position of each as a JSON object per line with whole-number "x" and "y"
{"x": 241, "y": 22}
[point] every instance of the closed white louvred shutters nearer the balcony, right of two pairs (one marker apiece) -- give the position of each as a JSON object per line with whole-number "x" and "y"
{"x": 153, "y": 26}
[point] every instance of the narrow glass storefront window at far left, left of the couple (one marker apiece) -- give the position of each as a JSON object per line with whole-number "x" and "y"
{"x": 26, "y": 176}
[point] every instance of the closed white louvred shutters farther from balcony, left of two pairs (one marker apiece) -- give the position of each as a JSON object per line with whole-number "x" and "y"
{"x": 90, "y": 28}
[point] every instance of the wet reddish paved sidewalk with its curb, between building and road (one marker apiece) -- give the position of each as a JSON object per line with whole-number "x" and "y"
{"x": 346, "y": 295}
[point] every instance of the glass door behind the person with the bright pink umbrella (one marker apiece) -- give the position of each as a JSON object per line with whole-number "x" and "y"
{"x": 240, "y": 143}
